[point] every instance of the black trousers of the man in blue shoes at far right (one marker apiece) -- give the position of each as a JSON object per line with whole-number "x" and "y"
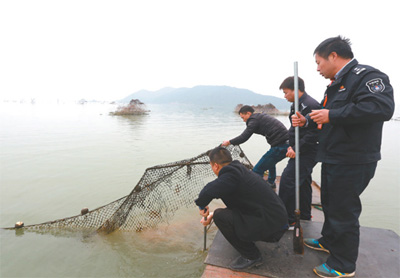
{"x": 341, "y": 187}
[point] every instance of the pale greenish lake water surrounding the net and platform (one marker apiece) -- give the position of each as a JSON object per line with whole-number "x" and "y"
{"x": 57, "y": 159}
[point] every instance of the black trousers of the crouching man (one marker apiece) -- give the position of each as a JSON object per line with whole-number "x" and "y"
{"x": 223, "y": 218}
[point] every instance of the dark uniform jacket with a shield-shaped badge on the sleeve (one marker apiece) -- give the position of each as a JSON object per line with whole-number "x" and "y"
{"x": 359, "y": 101}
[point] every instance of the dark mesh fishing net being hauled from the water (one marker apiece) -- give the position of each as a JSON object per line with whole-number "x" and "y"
{"x": 160, "y": 192}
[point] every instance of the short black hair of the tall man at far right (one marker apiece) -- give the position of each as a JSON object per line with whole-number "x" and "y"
{"x": 339, "y": 44}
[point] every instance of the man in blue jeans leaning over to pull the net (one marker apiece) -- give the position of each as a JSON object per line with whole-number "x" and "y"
{"x": 275, "y": 133}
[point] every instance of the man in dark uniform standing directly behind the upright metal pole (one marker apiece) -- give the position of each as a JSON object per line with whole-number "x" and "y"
{"x": 308, "y": 149}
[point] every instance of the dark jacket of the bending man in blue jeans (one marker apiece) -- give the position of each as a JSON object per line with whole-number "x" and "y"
{"x": 274, "y": 131}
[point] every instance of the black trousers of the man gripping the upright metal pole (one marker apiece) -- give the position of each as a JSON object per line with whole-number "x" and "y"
{"x": 287, "y": 186}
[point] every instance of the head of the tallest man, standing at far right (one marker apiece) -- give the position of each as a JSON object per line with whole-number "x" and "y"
{"x": 331, "y": 55}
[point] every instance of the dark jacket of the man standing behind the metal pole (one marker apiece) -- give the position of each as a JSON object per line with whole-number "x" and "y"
{"x": 308, "y": 137}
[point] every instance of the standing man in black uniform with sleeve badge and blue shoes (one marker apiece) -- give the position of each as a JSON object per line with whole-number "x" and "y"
{"x": 357, "y": 102}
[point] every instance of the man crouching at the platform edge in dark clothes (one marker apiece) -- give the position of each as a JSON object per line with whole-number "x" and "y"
{"x": 253, "y": 210}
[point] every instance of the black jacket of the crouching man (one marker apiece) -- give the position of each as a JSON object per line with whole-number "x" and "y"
{"x": 258, "y": 210}
